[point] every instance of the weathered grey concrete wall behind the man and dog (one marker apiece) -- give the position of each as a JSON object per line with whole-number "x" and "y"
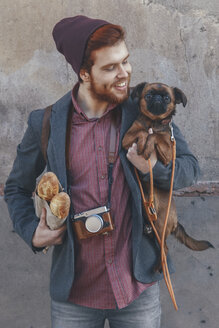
{"x": 173, "y": 41}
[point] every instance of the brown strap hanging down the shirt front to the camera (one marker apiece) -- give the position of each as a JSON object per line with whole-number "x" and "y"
{"x": 112, "y": 157}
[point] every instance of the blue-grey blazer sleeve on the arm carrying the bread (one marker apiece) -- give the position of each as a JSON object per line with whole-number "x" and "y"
{"x": 28, "y": 165}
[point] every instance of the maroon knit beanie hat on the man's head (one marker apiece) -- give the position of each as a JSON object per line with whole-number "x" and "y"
{"x": 71, "y": 36}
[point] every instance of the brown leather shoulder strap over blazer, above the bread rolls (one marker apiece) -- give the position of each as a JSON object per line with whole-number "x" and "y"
{"x": 45, "y": 131}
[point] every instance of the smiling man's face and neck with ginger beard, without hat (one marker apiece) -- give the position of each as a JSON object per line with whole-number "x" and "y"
{"x": 108, "y": 80}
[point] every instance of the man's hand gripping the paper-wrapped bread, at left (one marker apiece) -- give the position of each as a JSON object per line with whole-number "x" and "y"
{"x": 44, "y": 236}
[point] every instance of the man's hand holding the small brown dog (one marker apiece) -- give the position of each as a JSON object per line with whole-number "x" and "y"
{"x": 138, "y": 161}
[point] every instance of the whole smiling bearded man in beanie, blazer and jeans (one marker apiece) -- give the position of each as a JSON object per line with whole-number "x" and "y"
{"x": 102, "y": 263}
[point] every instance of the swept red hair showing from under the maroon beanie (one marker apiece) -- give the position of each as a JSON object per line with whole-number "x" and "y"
{"x": 105, "y": 36}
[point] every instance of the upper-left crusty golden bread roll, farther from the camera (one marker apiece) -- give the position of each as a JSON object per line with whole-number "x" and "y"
{"x": 48, "y": 186}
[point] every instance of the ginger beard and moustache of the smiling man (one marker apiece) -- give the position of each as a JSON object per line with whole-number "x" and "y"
{"x": 107, "y": 94}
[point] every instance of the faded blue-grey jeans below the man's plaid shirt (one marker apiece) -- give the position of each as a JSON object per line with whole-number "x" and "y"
{"x": 144, "y": 312}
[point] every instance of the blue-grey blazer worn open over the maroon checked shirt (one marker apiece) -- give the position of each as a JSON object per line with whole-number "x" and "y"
{"x": 29, "y": 164}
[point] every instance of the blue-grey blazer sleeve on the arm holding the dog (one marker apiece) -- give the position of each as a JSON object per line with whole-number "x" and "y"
{"x": 187, "y": 168}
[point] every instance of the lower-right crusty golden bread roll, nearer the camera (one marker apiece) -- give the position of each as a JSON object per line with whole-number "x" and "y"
{"x": 60, "y": 205}
